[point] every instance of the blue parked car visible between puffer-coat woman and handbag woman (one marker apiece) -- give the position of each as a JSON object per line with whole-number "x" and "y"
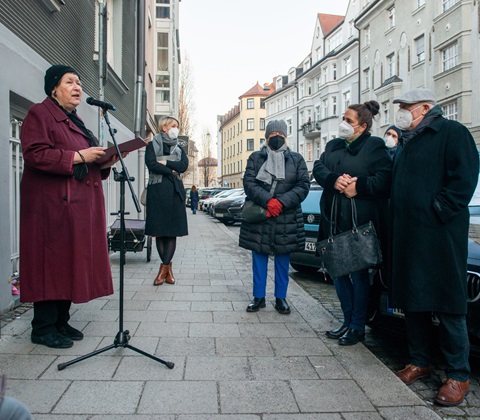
{"x": 305, "y": 260}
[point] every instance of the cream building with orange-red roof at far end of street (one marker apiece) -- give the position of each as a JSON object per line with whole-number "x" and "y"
{"x": 242, "y": 131}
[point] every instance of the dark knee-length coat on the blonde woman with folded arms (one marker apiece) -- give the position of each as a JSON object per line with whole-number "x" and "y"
{"x": 166, "y": 212}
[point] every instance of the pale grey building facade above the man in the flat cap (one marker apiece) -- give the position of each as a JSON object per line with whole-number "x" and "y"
{"x": 434, "y": 45}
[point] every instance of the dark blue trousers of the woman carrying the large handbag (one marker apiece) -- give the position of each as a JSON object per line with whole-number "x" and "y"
{"x": 352, "y": 291}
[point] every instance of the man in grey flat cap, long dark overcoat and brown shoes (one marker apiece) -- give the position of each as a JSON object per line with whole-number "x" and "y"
{"x": 435, "y": 173}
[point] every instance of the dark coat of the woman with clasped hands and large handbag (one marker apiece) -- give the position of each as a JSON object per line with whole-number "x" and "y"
{"x": 367, "y": 159}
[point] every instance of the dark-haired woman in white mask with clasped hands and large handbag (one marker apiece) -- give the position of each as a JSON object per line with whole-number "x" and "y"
{"x": 356, "y": 165}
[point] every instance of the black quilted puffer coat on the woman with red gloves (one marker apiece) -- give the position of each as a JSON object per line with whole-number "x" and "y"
{"x": 283, "y": 234}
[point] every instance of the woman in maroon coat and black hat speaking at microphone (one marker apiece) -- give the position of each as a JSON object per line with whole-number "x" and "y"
{"x": 63, "y": 241}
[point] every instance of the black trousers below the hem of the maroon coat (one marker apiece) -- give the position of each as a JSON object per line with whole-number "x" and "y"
{"x": 49, "y": 314}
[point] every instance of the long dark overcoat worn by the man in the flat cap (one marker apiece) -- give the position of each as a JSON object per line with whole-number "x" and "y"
{"x": 434, "y": 178}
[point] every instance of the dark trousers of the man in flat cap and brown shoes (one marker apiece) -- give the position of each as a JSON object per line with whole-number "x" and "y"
{"x": 452, "y": 340}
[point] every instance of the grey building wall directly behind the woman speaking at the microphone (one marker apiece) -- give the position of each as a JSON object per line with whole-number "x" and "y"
{"x": 33, "y": 36}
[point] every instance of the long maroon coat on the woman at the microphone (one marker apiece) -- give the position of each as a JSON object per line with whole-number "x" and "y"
{"x": 63, "y": 235}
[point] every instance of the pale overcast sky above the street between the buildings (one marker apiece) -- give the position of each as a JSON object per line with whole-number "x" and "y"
{"x": 231, "y": 45}
